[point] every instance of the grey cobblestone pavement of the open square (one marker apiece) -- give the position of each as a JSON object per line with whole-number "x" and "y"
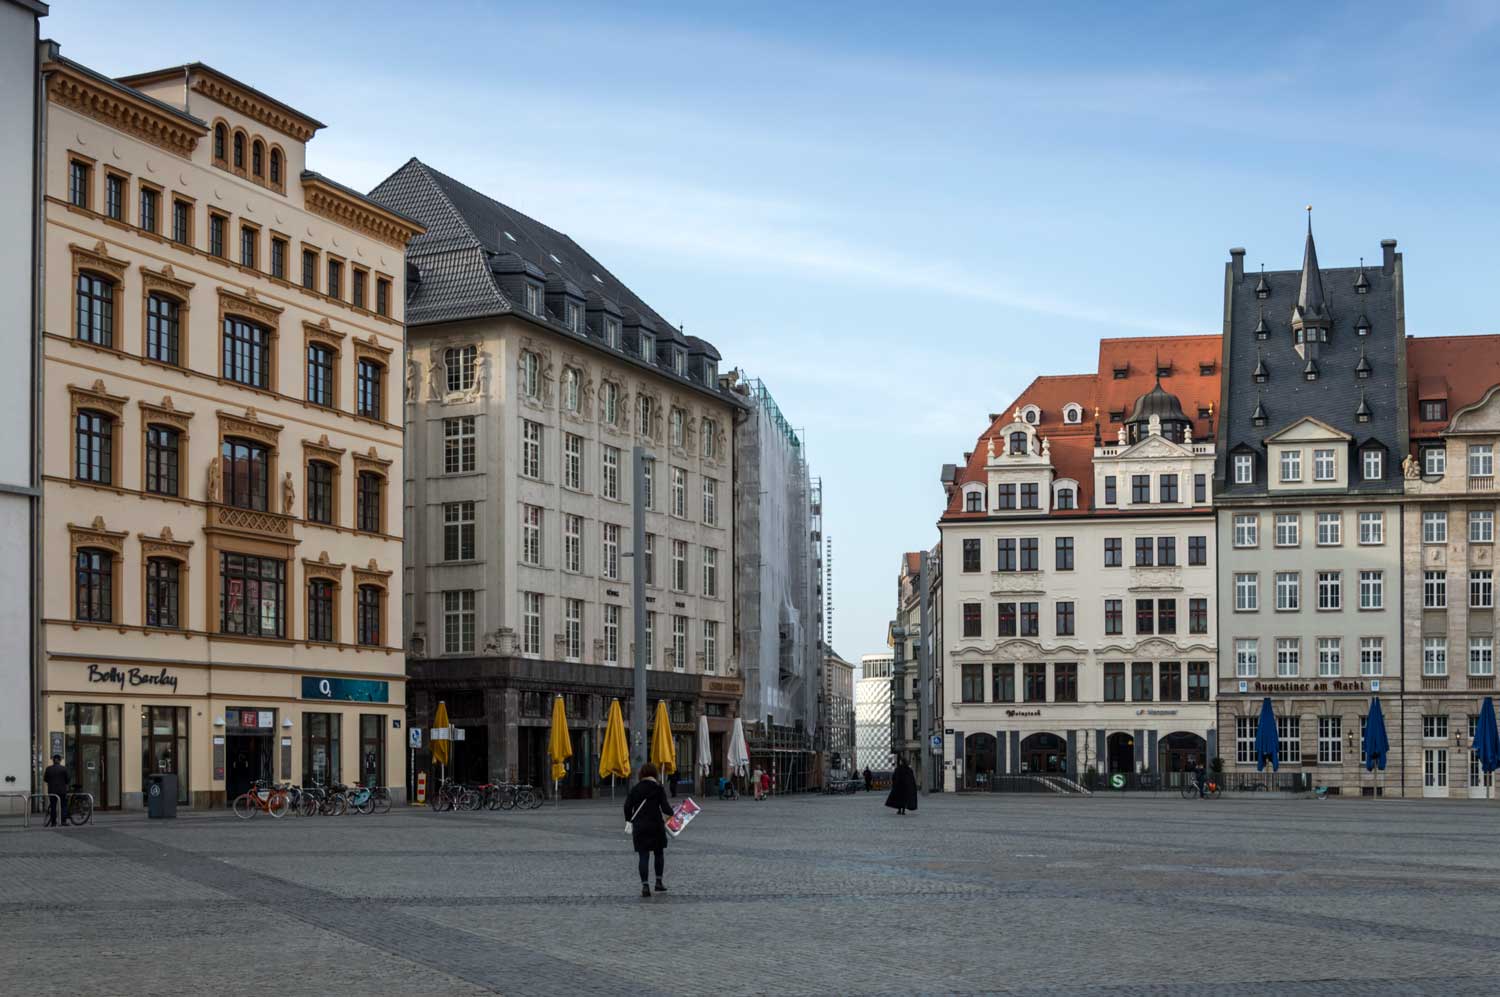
{"x": 1108, "y": 897}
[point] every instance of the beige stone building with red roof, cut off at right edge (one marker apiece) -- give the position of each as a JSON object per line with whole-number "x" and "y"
{"x": 1448, "y": 534}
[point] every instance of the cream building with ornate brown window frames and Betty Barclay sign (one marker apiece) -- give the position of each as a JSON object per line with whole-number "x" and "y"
{"x": 223, "y": 445}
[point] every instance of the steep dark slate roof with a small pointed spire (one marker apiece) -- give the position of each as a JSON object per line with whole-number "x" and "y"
{"x": 1336, "y": 397}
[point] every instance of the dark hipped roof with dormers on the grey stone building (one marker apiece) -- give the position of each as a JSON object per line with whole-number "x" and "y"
{"x": 472, "y": 239}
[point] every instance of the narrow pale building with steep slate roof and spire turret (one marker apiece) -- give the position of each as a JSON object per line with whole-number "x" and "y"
{"x": 1310, "y": 527}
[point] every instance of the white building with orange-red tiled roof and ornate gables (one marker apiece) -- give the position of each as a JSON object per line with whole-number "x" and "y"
{"x": 1079, "y": 590}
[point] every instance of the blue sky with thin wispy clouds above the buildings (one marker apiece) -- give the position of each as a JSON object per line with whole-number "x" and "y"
{"x": 895, "y": 215}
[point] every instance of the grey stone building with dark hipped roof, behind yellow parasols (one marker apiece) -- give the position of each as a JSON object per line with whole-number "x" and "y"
{"x": 533, "y": 374}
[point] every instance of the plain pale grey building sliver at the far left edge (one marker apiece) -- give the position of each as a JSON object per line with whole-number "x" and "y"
{"x": 20, "y": 493}
